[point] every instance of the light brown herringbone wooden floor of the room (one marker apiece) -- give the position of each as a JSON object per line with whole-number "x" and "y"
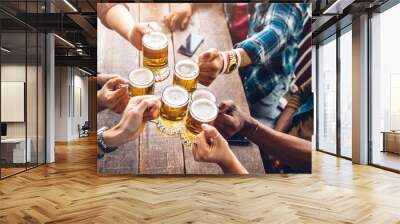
{"x": 70, "y": 191}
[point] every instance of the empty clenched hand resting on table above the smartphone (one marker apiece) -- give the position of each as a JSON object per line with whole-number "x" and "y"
{"x": 179, "y": 18}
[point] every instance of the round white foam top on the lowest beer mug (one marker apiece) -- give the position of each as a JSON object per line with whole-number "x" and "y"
{"x": 204, "y": 110}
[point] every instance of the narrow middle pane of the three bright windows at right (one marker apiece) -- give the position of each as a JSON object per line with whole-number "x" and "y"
{"x": 345, "y": 94}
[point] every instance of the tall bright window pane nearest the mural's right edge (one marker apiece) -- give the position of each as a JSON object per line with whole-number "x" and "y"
{"x": 327, "y": 97}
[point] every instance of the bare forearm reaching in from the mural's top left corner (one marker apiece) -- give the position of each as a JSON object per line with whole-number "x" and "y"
{"x": 119, "y": 19}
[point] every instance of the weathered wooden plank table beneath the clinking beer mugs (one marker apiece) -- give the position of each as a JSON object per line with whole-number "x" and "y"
{"x": 153, "y": 152}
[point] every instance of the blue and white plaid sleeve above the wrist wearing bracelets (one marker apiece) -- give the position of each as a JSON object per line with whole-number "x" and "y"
{"x": 284, "y": 19}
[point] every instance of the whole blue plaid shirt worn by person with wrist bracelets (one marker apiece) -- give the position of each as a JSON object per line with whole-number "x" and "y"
{"x": 274, "y": 37}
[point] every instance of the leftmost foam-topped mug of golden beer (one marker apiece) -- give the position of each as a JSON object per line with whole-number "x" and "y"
{"x": 141, "y": 82}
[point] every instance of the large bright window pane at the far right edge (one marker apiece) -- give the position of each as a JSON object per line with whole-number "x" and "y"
{"x": 385, "y": 84}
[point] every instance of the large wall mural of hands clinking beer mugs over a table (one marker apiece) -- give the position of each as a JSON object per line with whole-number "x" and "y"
{"x": 181, "y": 93}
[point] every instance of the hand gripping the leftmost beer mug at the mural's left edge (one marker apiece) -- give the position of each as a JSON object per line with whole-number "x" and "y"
{"x": 113, "y": 95}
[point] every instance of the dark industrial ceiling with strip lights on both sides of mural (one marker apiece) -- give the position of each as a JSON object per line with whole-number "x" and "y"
{"x": 75, "y": 21}
